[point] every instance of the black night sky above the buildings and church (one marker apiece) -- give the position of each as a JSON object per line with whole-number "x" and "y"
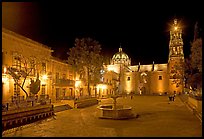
{"x": 142, "y": 28}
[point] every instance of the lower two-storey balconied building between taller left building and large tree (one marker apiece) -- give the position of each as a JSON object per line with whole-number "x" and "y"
{"x": 62, "y": 80}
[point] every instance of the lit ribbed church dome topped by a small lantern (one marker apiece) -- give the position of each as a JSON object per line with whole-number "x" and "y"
{"x": 120, "y": 58}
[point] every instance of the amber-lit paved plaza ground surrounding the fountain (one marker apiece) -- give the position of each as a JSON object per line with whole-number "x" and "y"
{"x": 157, "y": 118}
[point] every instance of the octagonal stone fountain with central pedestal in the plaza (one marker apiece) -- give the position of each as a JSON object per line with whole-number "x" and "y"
{"x": 114, "y": 111}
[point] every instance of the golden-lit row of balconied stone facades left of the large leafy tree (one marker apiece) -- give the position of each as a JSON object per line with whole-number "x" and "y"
{"x": 23, "y": 54}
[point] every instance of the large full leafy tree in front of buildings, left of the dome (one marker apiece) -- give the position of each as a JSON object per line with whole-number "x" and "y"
{"x": 86, "y": 60}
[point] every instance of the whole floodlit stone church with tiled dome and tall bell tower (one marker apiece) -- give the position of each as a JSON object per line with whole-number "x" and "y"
{"x": 165, "y": 78}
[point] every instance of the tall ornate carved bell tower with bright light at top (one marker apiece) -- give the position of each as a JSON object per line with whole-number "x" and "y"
{"x": 176, "y": 59}
